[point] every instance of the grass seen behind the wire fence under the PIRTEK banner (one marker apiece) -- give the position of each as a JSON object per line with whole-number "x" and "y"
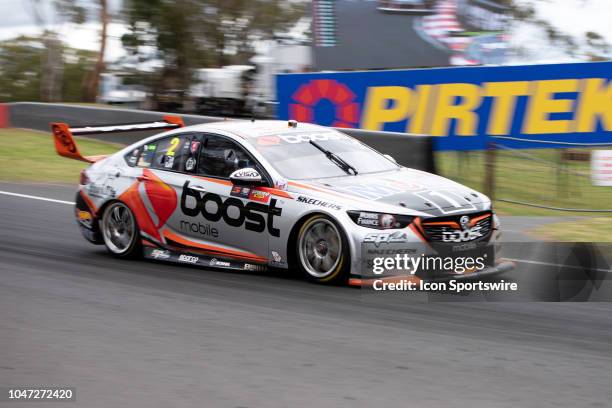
{"x": 530, "y": 176}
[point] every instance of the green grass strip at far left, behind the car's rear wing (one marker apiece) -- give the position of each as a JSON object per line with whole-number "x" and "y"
{"x": 30, "y": 156}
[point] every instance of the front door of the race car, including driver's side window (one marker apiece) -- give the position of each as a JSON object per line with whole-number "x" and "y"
{"x": 235, "y": 218}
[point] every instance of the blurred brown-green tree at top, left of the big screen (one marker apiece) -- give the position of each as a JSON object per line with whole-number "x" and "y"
{"x": 188, "y": 34}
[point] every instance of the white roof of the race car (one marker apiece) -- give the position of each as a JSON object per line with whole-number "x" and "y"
{"x": 248, "y": 129}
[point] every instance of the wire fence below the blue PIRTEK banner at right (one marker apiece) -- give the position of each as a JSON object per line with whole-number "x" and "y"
{"x": 554, "y": 179}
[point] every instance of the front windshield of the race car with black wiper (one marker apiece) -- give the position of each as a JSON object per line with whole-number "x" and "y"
{"x": 295, "y": 158}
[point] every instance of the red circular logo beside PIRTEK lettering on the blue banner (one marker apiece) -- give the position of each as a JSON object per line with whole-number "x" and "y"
{"x": 308, "y": 97}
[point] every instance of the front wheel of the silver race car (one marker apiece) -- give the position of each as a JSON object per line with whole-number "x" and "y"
{"x": 322, "y": 251}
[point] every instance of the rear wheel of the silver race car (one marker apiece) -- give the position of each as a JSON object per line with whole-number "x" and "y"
{"x": 120, "y": 231}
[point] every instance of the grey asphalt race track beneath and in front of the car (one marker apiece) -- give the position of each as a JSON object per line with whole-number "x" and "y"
{"x": 144, "y": 334}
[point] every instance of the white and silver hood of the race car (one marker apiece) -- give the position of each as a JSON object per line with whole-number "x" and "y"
{"x": 407, "y": 190}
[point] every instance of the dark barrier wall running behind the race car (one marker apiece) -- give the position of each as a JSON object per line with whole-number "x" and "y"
{"x": 409, "y": 150}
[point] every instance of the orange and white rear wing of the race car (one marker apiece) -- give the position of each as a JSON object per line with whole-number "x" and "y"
{"x": 66, "y": 146}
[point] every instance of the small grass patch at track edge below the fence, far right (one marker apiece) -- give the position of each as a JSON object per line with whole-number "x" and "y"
{"x": 597, "y": 229}
